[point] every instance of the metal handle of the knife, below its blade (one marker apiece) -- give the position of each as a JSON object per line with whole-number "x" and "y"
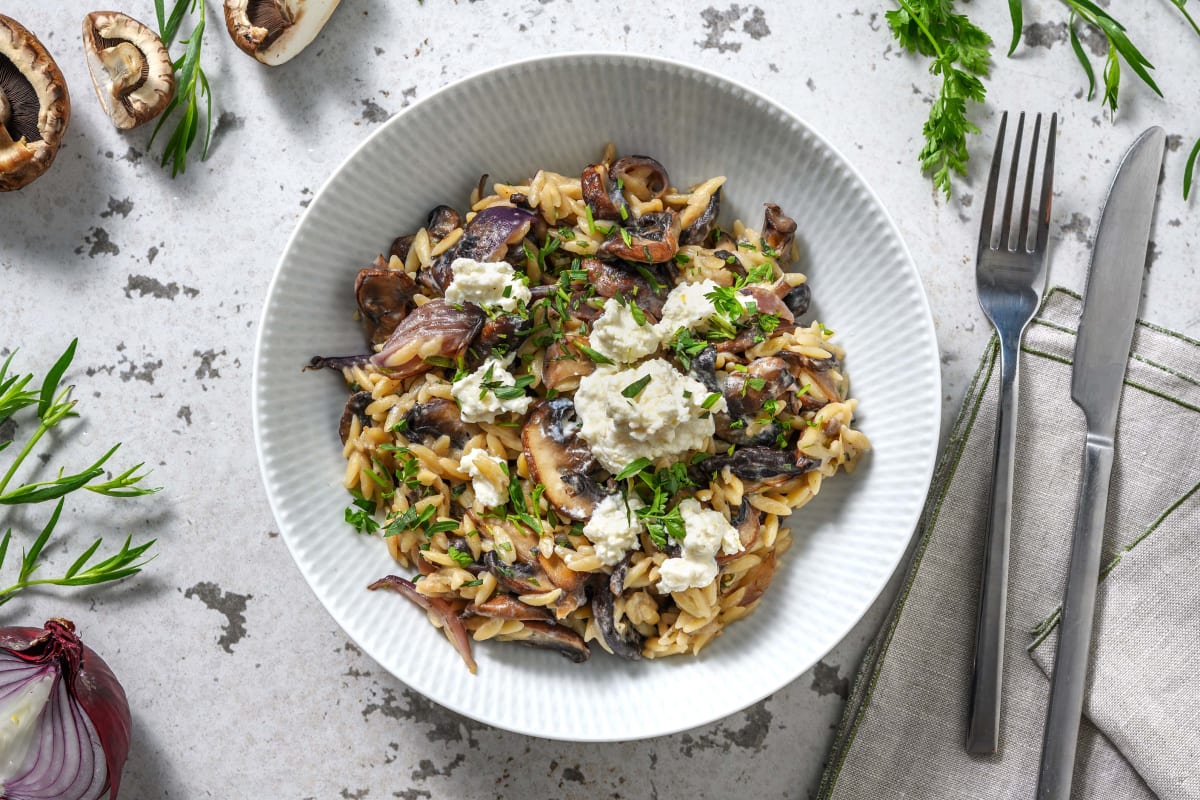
{"x": 1070, "y": 682}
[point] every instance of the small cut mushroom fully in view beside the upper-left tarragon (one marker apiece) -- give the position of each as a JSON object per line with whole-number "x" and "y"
{"x": 130, "y": 68}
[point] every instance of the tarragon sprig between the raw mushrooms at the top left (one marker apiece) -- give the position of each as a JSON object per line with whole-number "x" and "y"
{"x": 191, "y": 86}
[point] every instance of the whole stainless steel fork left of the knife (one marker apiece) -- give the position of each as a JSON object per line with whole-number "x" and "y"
{"x": 1011, "y": 278}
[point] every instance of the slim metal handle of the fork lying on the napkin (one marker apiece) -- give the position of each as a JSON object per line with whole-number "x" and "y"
{"x": 987, "y": 678}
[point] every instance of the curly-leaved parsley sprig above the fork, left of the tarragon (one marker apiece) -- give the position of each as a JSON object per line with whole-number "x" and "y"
{"x": 962, "y": 57}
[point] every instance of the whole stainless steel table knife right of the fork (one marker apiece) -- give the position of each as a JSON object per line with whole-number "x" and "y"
{"x": 1102, "y": 350}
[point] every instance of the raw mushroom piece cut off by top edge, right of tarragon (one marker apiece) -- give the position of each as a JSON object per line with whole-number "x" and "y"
{"x": 274, "y": 32}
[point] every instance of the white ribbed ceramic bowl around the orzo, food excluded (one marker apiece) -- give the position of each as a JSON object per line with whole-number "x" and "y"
{"x": 557, "y": 113}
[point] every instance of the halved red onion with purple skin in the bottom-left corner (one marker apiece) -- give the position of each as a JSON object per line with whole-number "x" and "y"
{"x": 64, "y": 720}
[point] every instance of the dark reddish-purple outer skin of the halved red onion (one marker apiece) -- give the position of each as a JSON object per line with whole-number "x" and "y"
{"x": 89, "y": 681}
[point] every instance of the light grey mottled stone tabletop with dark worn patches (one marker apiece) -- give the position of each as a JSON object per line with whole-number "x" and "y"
{"x": 242, "y": 684}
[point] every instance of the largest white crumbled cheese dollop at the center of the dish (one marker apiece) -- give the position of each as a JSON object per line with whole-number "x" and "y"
{"x": 668, "y": 417}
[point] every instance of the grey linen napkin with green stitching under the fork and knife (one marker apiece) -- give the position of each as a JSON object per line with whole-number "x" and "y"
{"x": 905, "y": 724}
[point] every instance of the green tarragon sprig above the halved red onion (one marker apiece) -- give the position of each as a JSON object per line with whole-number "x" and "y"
{"x": 52, "y": 405}
